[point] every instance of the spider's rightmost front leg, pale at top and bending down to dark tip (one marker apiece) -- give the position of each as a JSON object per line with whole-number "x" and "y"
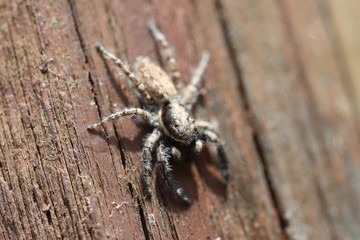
{"x": 211, "y": 136}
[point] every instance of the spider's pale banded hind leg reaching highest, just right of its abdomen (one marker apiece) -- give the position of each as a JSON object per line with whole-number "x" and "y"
{"x": 171, "y": 61}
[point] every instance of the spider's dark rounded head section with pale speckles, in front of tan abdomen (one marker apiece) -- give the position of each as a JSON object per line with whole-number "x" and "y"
{"x": 177, "y": 123}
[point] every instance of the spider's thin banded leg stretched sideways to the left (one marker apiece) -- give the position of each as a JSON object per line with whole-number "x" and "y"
{"x": 125, "y": 112}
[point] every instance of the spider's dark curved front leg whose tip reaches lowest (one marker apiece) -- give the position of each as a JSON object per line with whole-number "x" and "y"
{"x": 166, "y": 171}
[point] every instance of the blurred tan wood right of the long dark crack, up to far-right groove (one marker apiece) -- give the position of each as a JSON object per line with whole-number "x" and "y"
{"x": 302, "y": 114}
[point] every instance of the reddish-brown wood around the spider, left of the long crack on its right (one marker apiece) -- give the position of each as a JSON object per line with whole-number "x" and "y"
{"x": 67, "y": 183}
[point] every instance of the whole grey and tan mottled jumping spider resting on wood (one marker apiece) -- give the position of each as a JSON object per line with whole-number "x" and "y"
{"x": 176, "y": 133}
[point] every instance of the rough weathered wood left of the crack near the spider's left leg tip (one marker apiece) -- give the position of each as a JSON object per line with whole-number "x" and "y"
{"x": 60, "y": 186}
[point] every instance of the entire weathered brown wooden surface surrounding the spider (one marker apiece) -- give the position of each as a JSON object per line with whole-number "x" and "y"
{"x": 282, "y": 85}
